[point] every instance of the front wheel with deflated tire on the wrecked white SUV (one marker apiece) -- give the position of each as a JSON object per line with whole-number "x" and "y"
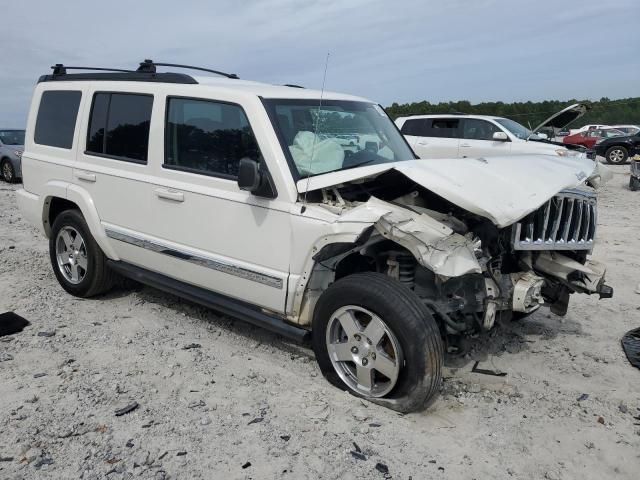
{"x": 374, "y": 338}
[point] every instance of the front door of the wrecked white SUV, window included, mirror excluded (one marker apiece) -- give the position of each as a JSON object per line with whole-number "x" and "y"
{"x": 207, "y": 231}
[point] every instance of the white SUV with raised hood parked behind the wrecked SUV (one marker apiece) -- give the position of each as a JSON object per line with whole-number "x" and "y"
{"x": 473, "y": 136}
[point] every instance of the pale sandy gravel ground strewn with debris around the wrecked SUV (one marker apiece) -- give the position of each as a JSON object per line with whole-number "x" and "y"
{"x": 241, "y": 403}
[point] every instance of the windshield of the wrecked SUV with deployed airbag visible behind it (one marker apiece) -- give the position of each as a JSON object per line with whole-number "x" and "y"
{"x": 337, "y": 136}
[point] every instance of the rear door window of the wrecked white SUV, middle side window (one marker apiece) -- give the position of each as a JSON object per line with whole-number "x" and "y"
{"x": 119, "y": 126}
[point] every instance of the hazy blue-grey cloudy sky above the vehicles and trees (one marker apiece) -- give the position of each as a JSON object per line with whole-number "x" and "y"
{"x": 400, "y": 51}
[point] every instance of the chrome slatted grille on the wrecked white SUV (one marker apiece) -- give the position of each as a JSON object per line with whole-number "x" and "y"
{"x": 566, "y": 222}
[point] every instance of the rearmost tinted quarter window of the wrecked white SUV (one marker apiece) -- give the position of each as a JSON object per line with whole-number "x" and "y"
{"x": 56, "y": 120}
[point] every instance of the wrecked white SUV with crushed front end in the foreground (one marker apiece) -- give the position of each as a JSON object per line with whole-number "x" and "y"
{"x": 304, "y": 212}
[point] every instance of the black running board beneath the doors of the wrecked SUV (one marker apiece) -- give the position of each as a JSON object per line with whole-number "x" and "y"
{"x": 215, "y": 301}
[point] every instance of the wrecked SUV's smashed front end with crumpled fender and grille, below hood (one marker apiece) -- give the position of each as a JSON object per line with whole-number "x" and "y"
{"x": 469, "y": 271}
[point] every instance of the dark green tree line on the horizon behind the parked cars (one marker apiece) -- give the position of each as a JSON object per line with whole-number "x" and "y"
{"x": 604, "y": 111}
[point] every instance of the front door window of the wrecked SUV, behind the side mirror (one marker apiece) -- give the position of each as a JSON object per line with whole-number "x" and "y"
{"x": 208, "y": 137}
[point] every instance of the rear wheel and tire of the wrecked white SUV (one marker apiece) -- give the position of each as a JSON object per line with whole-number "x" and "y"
{"x": 77, "y": 260}
